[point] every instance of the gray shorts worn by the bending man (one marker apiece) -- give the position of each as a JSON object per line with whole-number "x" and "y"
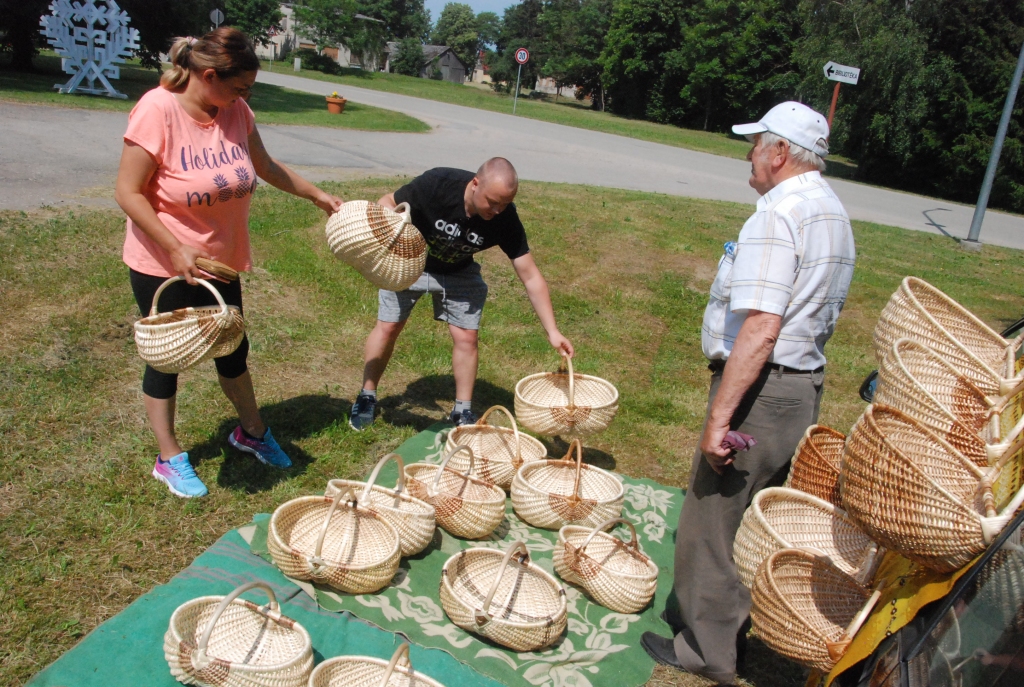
{"x": 458, "y": 298}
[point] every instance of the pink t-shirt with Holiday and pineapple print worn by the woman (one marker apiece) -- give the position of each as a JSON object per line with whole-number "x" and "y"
{"x": 203, "y": 185}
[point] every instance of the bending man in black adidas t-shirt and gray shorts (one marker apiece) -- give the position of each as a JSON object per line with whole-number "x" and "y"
{"x": 459, "y": 213}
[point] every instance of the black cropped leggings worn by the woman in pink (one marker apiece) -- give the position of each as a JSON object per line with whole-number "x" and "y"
{"x": 181, "y": 295}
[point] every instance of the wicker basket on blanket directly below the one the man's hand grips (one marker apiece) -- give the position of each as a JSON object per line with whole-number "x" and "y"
{"x": 554, "y": 494}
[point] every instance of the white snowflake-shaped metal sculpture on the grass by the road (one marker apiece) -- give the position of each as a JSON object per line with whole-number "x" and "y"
{"x": 92, "y": 37}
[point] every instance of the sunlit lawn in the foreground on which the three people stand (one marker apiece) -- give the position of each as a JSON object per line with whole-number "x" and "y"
{"x": 83, "y": 528}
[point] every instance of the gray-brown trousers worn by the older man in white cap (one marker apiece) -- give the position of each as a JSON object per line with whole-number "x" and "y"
{"x": 712, "y": 603}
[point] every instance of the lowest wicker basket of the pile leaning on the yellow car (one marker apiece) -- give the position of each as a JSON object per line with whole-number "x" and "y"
{"x": 807, "y": 610}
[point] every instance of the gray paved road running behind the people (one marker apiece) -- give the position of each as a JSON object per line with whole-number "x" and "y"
{"x": 52, "y": 155}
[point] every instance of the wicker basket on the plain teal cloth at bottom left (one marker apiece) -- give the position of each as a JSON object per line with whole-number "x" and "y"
{"x": 226, "y": 641}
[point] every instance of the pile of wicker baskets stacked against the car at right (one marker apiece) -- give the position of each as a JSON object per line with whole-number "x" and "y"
{"x": 932, "y": 471}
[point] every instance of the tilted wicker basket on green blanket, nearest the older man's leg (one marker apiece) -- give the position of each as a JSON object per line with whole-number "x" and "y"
{"x": 618, "y": 575}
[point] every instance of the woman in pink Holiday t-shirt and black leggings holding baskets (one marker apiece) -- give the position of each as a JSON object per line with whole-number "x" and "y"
{"x": 189, "y": 168}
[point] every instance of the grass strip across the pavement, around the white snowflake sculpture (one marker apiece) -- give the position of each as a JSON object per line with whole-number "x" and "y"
{"x": 273, "y": 105}
